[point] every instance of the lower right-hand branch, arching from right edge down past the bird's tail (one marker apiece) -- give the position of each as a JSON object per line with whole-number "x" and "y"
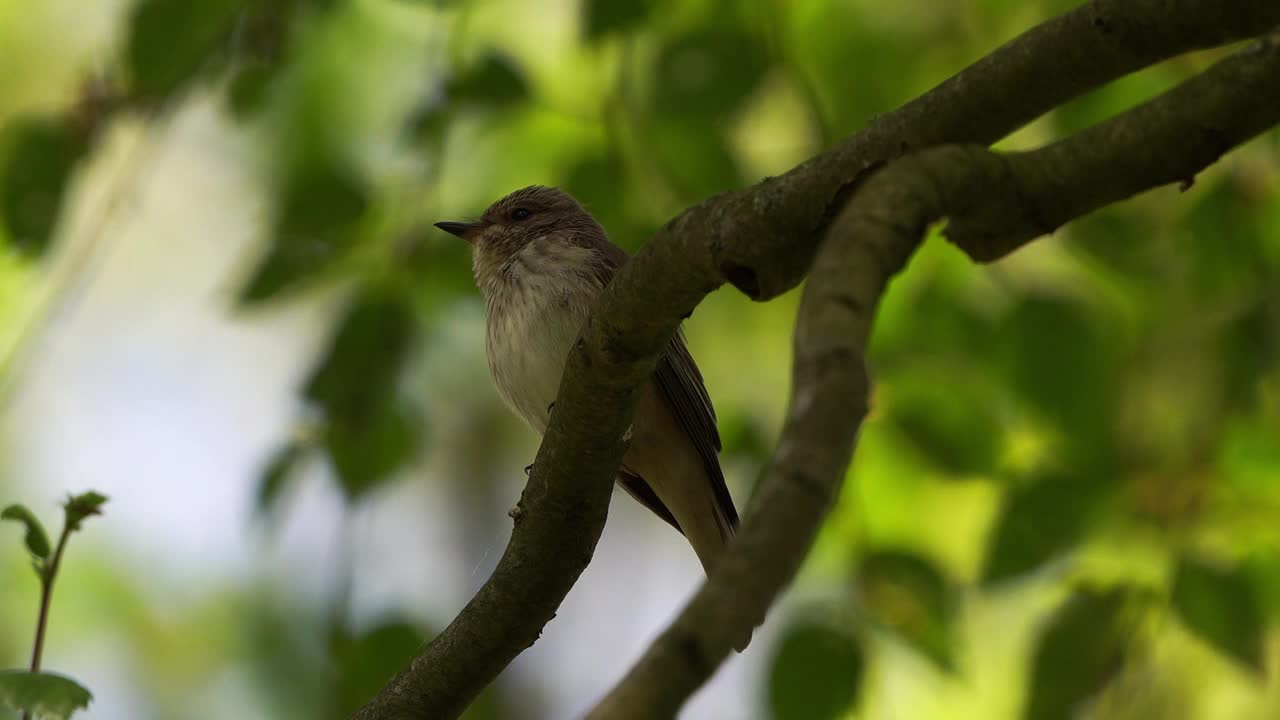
{"x": 994, "y": 202}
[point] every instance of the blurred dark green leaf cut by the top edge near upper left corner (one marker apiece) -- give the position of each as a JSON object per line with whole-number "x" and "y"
{"x": 171, "y": 40}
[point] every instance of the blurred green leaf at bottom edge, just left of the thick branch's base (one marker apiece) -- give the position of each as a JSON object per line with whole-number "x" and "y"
{"x": 365, "y": 663}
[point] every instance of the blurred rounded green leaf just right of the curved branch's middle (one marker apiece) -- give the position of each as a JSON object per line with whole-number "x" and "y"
{"x": 950, "y": 423}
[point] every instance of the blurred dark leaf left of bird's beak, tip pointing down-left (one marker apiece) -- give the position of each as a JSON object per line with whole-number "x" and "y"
{"x": 319, "y": 218}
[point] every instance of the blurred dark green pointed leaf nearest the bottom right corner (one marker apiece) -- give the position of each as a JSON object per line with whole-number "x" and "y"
{"x": 1222, "y": 605}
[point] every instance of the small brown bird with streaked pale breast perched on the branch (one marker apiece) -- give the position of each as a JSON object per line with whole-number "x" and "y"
{"x": 540, "y": 261}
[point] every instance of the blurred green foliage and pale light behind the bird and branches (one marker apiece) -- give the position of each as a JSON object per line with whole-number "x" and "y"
{"x": 223, "y": 306}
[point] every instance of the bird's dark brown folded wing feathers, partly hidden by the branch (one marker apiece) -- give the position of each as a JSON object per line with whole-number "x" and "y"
{"x": 682, "y": 385}
